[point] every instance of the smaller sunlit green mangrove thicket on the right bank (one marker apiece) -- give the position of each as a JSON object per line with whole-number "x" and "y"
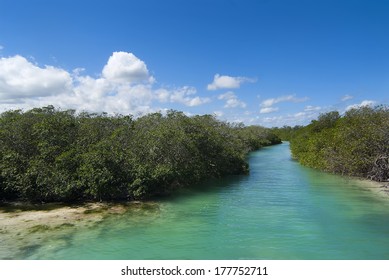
{"x": 355, "y": 144}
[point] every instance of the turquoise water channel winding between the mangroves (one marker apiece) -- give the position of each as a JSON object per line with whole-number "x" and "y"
{"x": 280, "y": 211}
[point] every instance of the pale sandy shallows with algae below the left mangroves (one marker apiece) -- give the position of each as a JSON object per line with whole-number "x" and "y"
{"x": 23, "y": 227}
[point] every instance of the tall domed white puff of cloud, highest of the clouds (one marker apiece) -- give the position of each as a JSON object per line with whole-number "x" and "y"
{"x": 125, "y": 67}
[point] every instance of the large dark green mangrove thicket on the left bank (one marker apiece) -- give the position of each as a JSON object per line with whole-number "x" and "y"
{"x": 48, "y": 154}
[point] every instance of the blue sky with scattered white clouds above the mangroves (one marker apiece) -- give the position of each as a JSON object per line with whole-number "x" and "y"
{"x": 260, "y": 62}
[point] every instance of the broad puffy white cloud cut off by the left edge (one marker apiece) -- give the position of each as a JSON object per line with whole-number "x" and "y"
{"x": 20, "y": 78}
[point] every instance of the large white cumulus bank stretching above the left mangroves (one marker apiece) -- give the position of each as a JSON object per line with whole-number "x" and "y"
{"x": 124, "y": 86}
